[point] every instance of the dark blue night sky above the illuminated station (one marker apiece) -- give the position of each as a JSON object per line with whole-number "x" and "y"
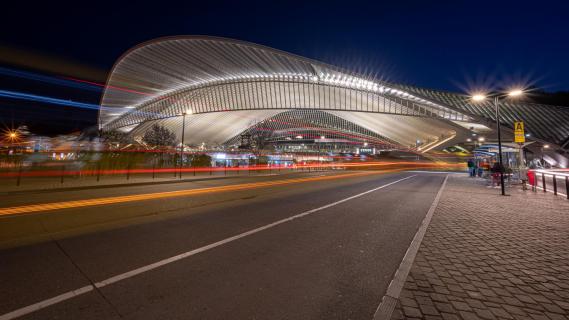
{"x": 449, "y": 45}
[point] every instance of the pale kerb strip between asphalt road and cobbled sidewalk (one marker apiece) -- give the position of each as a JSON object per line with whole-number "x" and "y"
{"x": 389, "y": 300}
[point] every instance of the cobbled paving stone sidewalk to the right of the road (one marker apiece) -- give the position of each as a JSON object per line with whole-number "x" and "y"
{"x": 486, "y": 256}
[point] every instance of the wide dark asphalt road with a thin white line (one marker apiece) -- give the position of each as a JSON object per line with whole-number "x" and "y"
{"x": 313, "y": 249}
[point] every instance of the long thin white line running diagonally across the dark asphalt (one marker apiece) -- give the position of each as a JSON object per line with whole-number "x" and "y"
{"x": 71, "y": 294}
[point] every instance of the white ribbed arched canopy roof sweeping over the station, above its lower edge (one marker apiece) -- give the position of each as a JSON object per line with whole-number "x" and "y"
{"x": 165, "y": 74}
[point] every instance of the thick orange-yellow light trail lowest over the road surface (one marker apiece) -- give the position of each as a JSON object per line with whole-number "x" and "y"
{"x": 168, "y": 194}
